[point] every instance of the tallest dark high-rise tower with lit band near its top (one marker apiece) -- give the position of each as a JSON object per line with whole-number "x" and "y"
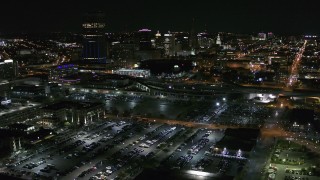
{"x": 94, "y": 43}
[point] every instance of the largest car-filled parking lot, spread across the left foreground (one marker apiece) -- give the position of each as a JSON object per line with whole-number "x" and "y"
{"x": 107, "y": 148}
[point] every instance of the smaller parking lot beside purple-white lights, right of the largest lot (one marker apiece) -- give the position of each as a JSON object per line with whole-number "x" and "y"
{"x": 197, "y": 153}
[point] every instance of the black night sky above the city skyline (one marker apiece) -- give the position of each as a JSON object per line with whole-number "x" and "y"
{"x": 280, "y": 16}
